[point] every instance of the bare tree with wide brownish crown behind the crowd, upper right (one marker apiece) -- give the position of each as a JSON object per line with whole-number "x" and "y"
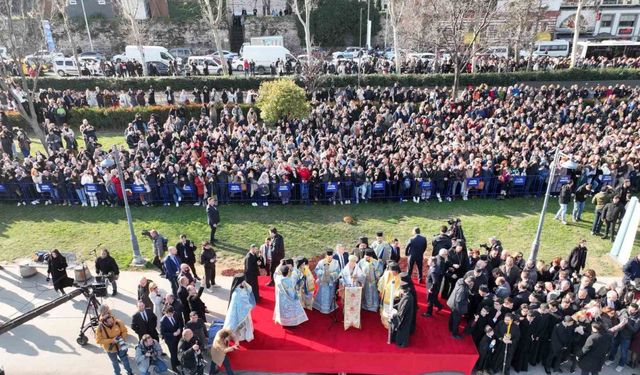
{"x": 459, "y": 26}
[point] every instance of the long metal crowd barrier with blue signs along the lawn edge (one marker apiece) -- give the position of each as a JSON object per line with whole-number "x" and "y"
{"x": 285, "y": 192}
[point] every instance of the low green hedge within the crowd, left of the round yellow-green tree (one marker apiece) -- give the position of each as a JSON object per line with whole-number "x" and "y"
{"x": 118, "y": 118}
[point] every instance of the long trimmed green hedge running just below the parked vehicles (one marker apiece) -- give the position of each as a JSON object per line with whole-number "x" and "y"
{"x": 416, "y": 80}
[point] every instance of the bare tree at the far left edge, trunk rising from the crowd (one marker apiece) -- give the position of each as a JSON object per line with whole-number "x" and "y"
{"x": 18, "y": 43}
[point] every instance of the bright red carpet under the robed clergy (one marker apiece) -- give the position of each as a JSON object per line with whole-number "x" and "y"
{"x": 317, "y": 346}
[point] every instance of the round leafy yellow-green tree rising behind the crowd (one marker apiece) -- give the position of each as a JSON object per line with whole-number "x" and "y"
{"x": 282, "y": 99}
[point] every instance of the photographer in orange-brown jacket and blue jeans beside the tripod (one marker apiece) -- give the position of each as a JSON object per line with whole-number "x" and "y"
{"x": 112, "y": 335}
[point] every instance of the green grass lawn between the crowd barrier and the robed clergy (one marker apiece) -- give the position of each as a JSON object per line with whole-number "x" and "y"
{"x": 307, "y": 230}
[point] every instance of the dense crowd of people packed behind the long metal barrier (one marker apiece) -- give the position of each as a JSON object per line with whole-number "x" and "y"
{"x": 385, "y": 143}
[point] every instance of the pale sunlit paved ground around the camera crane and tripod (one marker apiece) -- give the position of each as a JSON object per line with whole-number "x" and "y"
{"x": 47, "y": 344}
